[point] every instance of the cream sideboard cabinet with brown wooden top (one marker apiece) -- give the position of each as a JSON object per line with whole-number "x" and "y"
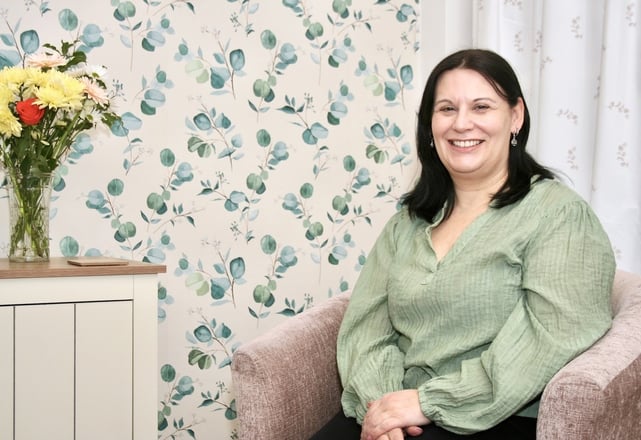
{"x": 79, "y": 351}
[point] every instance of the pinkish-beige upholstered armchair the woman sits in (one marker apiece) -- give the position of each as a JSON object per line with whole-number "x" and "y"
{"x": 287, "y": 385}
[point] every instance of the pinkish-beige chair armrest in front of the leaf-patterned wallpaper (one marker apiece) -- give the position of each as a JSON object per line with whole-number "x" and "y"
{"x": 286, "y": 381}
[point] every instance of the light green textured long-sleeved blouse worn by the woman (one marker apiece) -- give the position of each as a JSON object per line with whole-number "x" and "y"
{"x": 524, "y": 289}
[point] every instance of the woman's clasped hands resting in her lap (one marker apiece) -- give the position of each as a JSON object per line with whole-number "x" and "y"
{"x": 393, "y": 415}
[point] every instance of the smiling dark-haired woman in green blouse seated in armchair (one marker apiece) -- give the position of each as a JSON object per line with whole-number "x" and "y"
{"x": 490, "y": 279}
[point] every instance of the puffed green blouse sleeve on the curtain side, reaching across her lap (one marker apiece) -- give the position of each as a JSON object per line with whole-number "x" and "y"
{"x": 567, "y": 274}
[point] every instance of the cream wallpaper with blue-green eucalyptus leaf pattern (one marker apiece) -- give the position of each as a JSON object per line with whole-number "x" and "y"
{"x": 264, "y": 144}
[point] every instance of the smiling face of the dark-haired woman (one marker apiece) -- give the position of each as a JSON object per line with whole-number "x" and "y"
{"x": 471, "y": 125}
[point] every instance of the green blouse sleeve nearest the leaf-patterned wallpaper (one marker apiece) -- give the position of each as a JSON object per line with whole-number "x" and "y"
{"x": 369, "y": 361}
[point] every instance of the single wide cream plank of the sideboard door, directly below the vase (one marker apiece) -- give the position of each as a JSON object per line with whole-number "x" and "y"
{"x": 44, "y": 372}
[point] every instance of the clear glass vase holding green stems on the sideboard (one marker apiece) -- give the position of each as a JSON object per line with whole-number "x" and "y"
{"x": 29, "y": 201}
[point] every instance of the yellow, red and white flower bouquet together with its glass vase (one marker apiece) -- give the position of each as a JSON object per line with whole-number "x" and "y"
{"x": 44, "y": 105}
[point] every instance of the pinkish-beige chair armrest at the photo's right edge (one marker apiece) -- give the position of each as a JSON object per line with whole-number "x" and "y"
{"x": 597, "y": 395}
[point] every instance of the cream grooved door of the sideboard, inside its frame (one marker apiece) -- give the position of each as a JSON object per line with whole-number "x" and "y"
{"x": 73, "y": 369}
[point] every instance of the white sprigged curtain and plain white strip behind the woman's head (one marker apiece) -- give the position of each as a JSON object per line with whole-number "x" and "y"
{"x": 580, "y": 67}
